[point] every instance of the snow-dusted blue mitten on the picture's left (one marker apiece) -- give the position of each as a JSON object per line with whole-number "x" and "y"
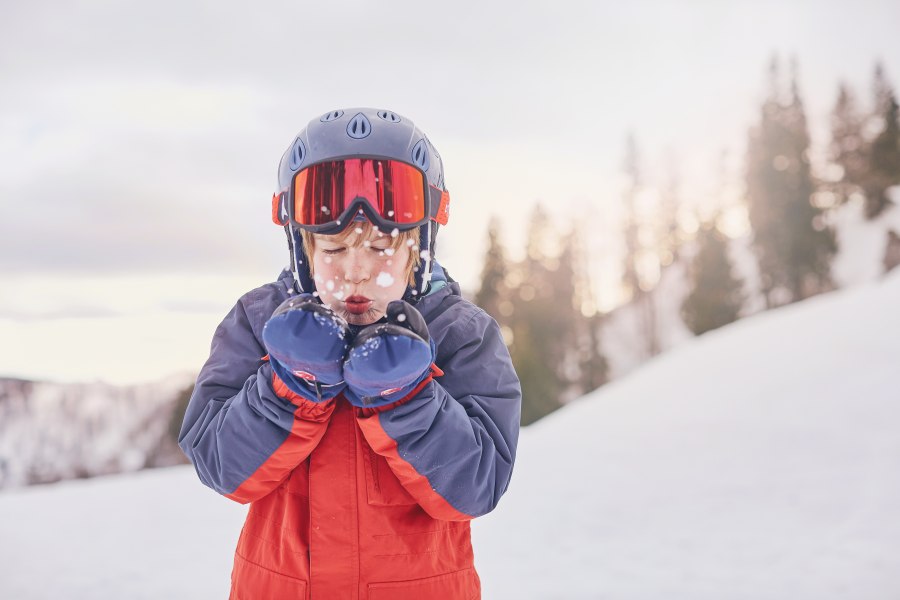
{"x": 307, "y": 344}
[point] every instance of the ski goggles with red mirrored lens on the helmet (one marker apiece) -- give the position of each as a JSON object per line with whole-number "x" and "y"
{"x": 326, "y": 196}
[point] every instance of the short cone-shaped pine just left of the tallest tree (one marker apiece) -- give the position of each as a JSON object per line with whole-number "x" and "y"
{"x": 716, "y": 294}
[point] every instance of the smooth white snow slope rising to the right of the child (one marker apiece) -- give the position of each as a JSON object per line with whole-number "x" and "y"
{"x": 759, "y": 461}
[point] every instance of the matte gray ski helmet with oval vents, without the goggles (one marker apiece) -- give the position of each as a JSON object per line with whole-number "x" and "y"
{"x": 362, "y": 132}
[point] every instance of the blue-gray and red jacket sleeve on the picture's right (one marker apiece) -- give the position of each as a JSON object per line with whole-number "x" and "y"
{"x": 452, "y": 441}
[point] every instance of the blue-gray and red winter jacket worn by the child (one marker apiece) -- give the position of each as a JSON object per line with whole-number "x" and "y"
{"x": 357, "y": 503}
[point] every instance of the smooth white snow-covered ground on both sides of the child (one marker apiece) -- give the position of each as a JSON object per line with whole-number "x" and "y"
{"x": 760, "y": 461}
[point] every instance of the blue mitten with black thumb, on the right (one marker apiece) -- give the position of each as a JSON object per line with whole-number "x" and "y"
{"x": 388, "y": 360}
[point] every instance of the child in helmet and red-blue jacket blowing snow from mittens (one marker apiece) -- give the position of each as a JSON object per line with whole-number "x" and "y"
{"x": 364, "y": 409}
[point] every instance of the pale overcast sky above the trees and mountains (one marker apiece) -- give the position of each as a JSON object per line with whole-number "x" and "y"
{"x": 139, "y": 140}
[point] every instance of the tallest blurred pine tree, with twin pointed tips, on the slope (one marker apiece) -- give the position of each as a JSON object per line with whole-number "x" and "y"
{"x": 792, "y": 243}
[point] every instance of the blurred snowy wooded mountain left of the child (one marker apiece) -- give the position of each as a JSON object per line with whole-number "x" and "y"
{"x": 53, "y": 431}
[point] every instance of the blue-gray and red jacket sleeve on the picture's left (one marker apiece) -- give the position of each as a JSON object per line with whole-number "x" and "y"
{"x": 243, "y": 430}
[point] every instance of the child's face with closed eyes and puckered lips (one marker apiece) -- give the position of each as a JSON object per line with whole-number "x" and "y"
{"x": 359, "y": 275}
